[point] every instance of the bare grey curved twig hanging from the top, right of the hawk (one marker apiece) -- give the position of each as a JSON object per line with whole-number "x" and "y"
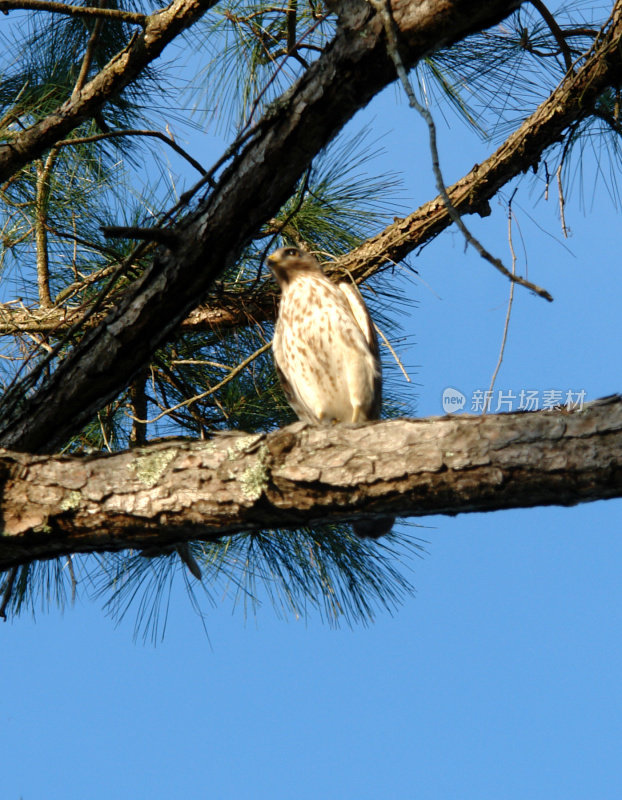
{"x": 382, "y": 8}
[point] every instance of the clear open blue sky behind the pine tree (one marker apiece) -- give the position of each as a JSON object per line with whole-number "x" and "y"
{"x": 500, "y": 678}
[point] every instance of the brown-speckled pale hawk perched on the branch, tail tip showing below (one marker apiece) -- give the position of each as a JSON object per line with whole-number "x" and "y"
{"x": 326, "y": 351}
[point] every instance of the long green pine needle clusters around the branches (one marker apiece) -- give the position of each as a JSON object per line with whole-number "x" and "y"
{"x": 229, "y": 68}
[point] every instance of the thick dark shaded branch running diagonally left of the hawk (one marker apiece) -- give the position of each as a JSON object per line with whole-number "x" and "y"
{"x": 353, "y": 68}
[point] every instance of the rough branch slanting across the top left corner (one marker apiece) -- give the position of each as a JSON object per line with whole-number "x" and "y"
{"x": 160, "y": 29}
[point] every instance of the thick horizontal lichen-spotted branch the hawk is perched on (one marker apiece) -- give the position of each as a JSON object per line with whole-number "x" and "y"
{"x": 301, "y": 475}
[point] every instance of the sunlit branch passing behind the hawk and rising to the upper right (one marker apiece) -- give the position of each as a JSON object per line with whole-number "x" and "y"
{"x": 469, "y": 195}
